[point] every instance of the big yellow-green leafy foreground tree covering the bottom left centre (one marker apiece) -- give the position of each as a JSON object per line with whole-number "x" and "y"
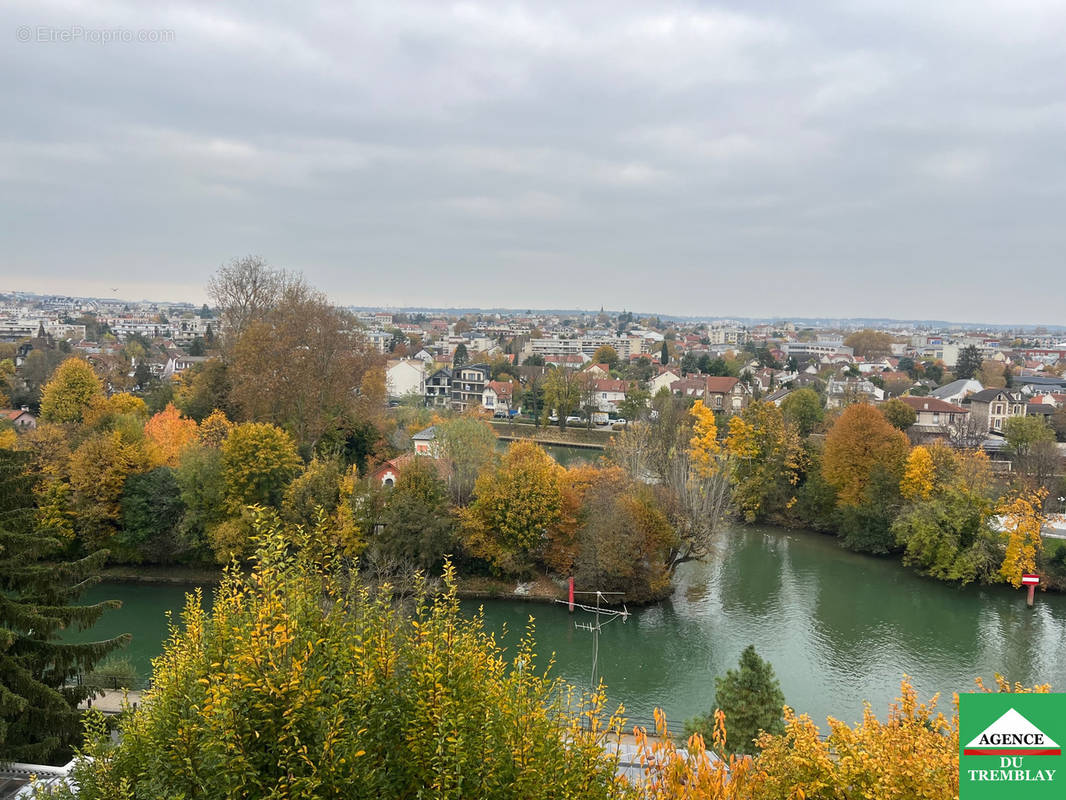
{"x": 298, "y": 686}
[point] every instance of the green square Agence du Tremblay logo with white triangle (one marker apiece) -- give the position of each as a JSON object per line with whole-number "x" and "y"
{"x": 1009, "y": 745}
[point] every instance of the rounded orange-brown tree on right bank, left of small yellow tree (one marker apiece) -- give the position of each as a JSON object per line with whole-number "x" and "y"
{"x": 860, "y": 441}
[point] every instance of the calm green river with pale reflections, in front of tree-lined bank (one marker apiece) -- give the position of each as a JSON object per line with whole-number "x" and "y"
{"x": 838, "y": 628}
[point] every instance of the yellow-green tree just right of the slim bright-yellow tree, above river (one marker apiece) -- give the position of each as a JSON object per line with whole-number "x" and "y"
{"x": 767, "y": 461}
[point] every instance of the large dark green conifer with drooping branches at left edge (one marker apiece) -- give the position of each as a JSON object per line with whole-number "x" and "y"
{"x": 40, "y": 721}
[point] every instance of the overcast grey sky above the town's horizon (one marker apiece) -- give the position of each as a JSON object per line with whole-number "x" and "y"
{"x": 853, "y": 158}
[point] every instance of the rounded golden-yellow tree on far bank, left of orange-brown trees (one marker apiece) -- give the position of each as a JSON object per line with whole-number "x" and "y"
{"x": 514, "y": 510}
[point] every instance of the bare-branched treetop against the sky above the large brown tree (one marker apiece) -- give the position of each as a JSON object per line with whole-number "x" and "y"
{"x": 245, "y": 291}
